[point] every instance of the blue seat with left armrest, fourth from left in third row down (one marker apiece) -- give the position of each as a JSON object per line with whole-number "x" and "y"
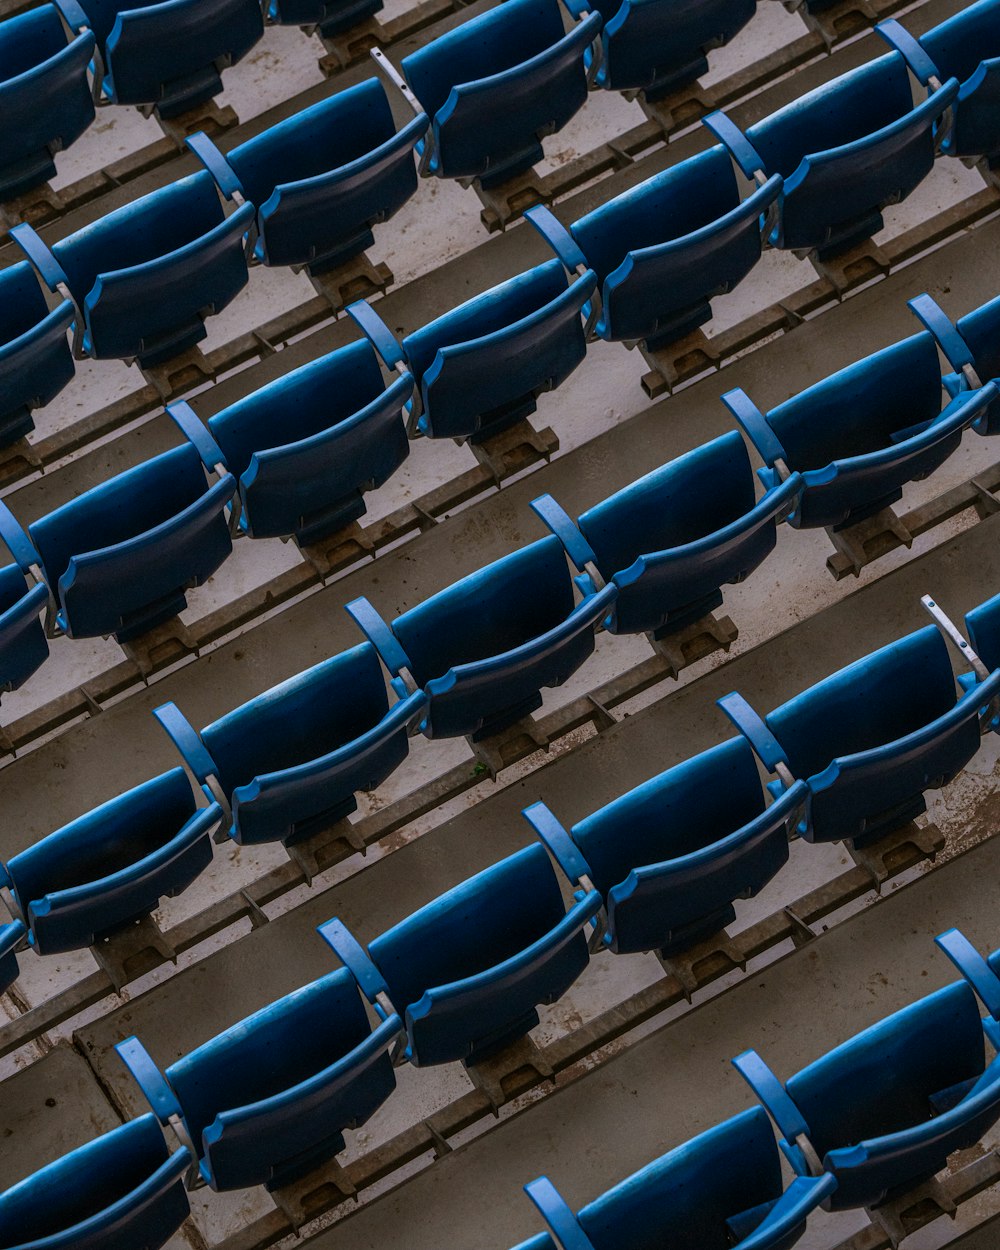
{"x": 482, "y": 367}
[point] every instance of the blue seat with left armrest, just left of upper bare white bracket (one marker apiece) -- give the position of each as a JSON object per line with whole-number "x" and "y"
{"x": 323, "y": 178}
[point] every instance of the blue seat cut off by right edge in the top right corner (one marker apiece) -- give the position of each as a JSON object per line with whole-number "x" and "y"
{"x": 968, "y": 48}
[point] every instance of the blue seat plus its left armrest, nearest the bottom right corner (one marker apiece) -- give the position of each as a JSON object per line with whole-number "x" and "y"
{"x": 884, "y": 1111}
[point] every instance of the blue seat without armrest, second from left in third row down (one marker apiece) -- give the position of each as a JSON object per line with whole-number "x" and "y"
{"x": 121, "y": 556}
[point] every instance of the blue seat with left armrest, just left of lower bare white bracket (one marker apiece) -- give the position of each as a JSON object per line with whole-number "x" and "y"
{"x": 872, "y": 738}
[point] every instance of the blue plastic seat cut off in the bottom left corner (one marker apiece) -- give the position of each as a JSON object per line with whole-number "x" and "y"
{"x": 121, "y": 1192}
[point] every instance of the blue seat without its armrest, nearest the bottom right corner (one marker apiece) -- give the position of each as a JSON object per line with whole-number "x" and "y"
{"x": 886, "y": 1082}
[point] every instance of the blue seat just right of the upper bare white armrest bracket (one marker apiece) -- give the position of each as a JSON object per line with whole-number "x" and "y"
{"x": 499, "y": 83}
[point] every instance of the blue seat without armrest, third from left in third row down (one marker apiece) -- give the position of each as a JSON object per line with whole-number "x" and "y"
{"x": 307, "y": 447}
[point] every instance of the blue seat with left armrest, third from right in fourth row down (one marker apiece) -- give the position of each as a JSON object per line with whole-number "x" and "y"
{"x": 671, "y": 541}
